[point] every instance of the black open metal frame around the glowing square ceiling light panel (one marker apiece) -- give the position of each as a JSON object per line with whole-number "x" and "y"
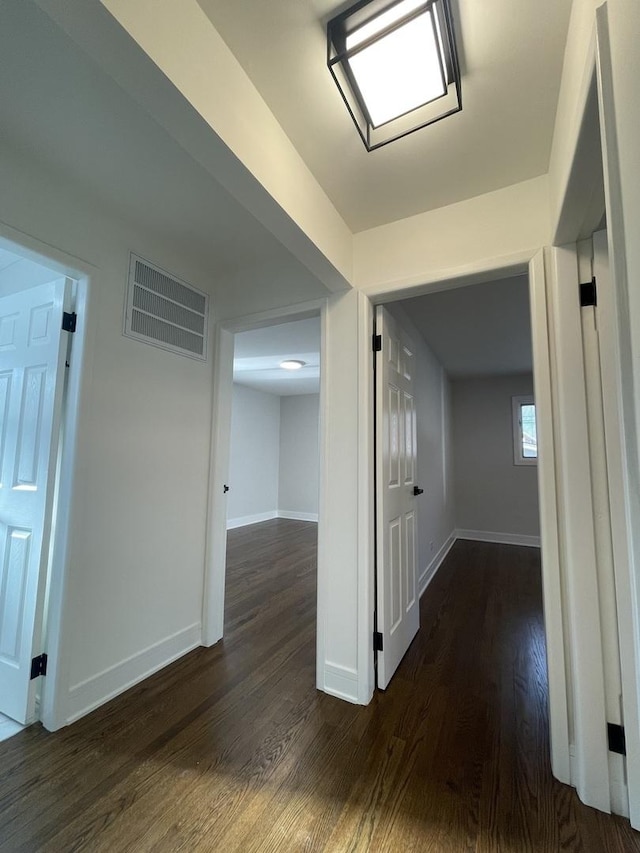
{"x": 338, "y": 57}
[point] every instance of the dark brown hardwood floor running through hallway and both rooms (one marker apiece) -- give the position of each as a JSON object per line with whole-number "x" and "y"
{"x": 232, "y": 748}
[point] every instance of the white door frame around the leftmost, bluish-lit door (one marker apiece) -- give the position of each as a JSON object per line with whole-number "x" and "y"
{"x": 54, "y": 687}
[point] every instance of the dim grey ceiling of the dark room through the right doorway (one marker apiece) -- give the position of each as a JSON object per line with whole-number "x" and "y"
{"x": 480, "y": 330}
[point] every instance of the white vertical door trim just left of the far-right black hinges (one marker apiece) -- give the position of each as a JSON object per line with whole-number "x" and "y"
{"x": 590, "y": 771}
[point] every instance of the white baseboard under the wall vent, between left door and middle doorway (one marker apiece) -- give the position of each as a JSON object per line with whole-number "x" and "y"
{"x": 89, "y": 694}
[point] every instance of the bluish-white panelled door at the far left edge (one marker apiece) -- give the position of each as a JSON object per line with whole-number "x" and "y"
{"x": 32, "y": 359}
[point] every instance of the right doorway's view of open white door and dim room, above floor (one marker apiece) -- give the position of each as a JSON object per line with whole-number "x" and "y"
{"x": 468, "y": 357}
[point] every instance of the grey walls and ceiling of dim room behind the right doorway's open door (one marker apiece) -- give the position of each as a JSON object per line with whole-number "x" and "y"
{"x": 474, "y": 358}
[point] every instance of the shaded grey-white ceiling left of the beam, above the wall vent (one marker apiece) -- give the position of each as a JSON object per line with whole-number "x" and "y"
{"x": 63, "y": 110}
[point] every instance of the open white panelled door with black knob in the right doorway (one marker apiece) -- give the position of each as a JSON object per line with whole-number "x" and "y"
{"x": 398, "y": 611}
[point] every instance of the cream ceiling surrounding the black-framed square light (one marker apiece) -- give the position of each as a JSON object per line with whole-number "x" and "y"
{"x": 511, "y": 59}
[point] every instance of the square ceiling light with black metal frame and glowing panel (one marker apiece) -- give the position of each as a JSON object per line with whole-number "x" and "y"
{"x": 396, "y": 66}
